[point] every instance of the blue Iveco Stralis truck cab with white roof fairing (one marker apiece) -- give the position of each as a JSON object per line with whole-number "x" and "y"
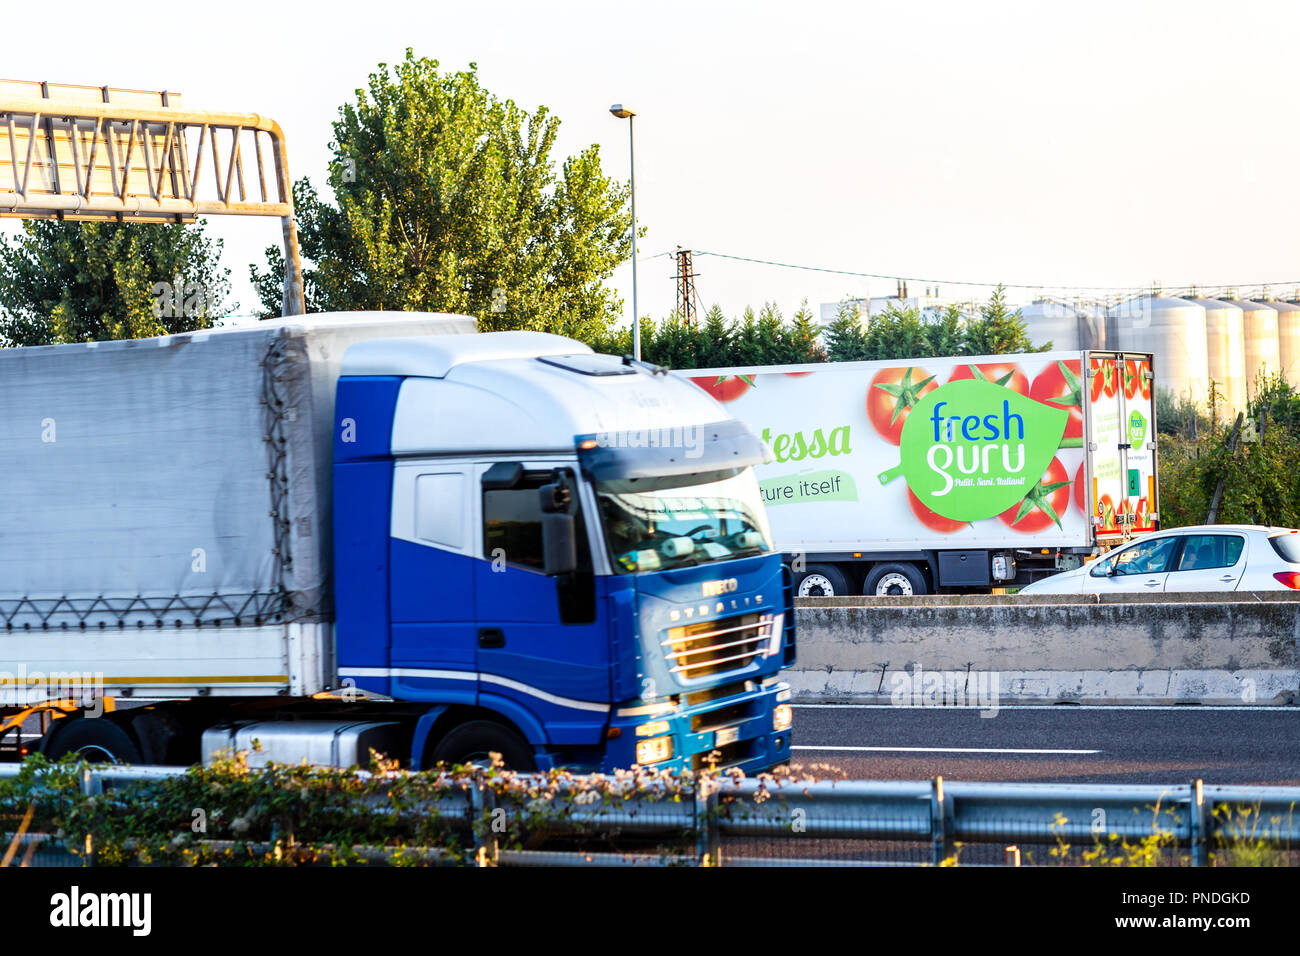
{"x": 557, "y": 556}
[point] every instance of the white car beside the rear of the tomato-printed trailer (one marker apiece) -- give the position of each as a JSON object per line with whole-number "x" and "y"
{"x": 1207, "y": 557}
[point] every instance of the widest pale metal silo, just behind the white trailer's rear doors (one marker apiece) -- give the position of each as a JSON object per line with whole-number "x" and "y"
{"x": 1175, "y": 332}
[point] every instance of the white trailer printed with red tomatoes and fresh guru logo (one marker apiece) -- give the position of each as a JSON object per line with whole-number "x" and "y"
{"x": 950, "y": 474}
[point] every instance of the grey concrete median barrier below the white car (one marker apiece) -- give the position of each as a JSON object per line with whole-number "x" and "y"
{"x": 1201, "y": 648}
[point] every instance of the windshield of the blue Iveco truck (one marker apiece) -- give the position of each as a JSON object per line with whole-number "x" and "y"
{"x": 655, "y": 524}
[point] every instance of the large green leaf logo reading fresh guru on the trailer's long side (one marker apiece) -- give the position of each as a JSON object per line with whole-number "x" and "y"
{"x": 973, "y": 449}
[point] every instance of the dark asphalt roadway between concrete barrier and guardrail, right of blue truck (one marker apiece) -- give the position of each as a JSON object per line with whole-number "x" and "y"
{"x": 1051, "y": 745}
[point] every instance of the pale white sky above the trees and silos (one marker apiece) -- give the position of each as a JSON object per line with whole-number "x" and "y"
{"x": 1086, "y": 145}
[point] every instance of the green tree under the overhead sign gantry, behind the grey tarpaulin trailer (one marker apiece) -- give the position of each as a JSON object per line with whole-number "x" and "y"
{"x": 93, "y": 282}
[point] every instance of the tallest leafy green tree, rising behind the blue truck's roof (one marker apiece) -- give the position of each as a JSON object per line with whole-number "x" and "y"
{"x": 448, "y": 200}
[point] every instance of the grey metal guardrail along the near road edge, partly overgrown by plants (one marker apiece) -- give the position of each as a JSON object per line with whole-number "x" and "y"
{"x": 937, "y": 815}
